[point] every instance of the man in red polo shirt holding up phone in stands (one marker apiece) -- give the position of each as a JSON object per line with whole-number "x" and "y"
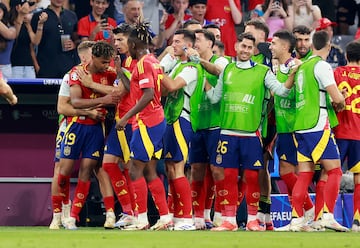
{"x": 96, "y": 25}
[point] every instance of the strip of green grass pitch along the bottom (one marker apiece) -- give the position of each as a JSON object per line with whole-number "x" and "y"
{"x": 41, "y": 237}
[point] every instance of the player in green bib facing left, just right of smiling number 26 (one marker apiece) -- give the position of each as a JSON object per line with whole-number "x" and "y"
{"x": 282, "y": 45}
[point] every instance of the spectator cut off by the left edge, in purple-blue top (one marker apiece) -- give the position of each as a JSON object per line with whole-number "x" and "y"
{"x": 10, "y": 24}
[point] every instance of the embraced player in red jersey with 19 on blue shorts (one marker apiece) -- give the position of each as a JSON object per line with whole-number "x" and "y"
{"x": 83, "y": 135}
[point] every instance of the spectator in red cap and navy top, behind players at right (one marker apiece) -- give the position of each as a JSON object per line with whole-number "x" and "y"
{"x": 336, "y": 56}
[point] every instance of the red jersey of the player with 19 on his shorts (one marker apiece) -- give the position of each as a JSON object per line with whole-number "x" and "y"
{"x": 107, "y": 78}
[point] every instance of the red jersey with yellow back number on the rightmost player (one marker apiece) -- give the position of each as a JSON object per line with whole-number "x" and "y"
{"x": 348, "y": 77}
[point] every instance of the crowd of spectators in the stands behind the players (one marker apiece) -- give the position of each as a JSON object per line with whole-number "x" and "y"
{"x": 38, "y": 37}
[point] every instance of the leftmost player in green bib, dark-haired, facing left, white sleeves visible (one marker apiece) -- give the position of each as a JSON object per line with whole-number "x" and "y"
{"x": 180, "y": 113}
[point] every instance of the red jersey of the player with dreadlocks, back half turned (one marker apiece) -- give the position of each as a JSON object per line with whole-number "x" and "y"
{"x": 147, "y": 74}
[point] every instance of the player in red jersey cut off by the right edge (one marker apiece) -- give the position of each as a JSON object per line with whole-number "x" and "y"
{"x": 347, "y": 133}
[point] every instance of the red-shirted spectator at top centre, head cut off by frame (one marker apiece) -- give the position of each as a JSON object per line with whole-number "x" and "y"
{"x": 226, "y": 14}
